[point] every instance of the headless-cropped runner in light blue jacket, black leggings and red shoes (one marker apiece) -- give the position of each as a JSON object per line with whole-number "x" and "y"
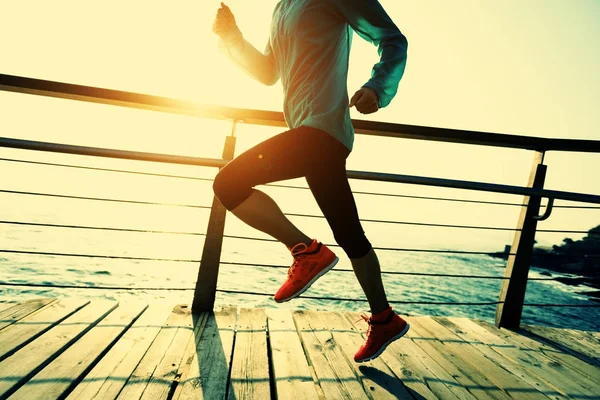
{"x": 308, "y": 49}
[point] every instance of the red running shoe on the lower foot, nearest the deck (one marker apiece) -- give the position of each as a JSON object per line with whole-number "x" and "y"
{"x": 380, "y": 335}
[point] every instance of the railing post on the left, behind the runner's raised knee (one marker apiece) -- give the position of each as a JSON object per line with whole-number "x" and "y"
{"x": 208, "y": 273}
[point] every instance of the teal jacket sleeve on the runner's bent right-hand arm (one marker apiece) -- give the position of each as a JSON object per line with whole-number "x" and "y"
{"x": 370, "y": 21}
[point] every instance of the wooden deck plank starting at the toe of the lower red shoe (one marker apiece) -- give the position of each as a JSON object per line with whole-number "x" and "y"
{"x": 475, "y": 381}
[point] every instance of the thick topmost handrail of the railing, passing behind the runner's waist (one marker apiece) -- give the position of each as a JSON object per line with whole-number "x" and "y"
{"x": 20, "y": 84}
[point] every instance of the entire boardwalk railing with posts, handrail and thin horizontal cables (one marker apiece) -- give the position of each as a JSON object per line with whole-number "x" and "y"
{"x": 511, "y": 299}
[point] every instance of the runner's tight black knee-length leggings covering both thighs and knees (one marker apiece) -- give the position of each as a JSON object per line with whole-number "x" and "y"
{"x": 307, "y": 152}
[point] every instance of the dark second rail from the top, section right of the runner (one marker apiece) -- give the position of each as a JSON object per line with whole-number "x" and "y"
{"x": 479, "y": 186}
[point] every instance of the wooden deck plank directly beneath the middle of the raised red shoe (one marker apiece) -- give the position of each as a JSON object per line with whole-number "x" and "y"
{"x": 334, "y": 374}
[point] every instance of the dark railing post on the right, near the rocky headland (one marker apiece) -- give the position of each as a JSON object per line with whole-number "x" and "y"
{"x": 512, "y": 292}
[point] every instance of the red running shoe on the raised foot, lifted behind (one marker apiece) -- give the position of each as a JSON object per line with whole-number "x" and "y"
{"x": 310, "y": 263}
